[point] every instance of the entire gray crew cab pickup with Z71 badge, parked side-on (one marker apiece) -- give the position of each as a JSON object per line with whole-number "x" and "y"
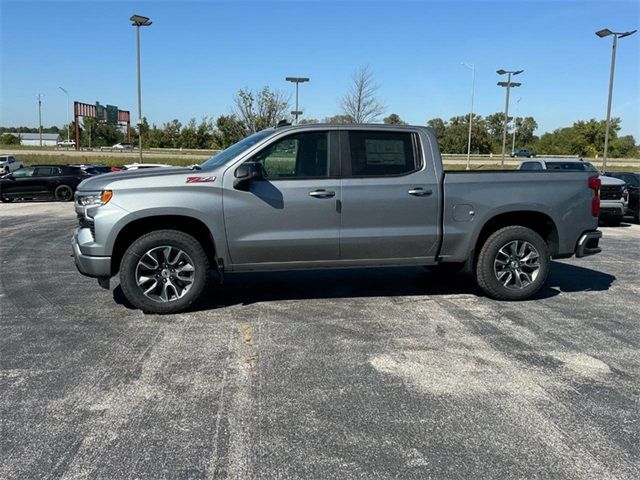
{"x": 329, "y": 196}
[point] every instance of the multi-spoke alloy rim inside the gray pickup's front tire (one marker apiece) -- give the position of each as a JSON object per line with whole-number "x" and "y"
{"x": 165, "y": 274}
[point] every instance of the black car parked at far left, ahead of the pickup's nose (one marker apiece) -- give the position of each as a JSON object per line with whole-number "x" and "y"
{"x": 38, "y": 181}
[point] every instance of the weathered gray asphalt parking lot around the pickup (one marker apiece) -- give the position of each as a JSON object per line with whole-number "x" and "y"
{"x": 383, "y": 373}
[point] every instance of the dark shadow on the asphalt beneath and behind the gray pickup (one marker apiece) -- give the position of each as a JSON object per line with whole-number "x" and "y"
{"x": 248, "y": 288}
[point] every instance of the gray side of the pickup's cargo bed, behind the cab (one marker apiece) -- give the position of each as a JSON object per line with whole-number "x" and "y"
{"x": 471, "y": 199}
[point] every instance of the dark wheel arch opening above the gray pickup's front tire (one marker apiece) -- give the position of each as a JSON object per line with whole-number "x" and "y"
{"x": 139, "y": 227}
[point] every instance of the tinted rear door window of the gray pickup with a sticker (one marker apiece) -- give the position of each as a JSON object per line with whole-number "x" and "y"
{"x": 380, "y": 154}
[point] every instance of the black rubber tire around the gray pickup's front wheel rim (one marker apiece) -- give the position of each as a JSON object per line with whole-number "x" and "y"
{"x": 162, "y": 238}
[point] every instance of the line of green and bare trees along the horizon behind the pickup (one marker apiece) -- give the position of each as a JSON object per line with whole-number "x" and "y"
{"x": 255, "y": 110}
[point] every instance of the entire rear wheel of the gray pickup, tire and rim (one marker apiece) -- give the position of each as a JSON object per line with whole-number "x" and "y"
{"x": 513, "y": 263}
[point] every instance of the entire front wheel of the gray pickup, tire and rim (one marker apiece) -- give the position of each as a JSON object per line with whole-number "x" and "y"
{"x": 164, "y": 271}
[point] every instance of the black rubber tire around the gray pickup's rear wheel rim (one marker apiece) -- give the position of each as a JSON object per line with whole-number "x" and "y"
{"x": 486, "y": 275}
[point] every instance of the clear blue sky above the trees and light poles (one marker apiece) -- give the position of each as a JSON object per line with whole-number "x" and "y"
{"x": 197, "y": 54}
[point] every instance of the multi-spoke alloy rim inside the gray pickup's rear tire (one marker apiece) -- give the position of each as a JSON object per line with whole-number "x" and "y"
{"x": 517, "y": 264}
